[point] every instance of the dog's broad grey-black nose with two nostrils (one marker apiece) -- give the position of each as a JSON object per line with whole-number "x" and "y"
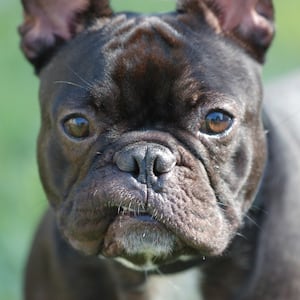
{"x": 145, "y": 161}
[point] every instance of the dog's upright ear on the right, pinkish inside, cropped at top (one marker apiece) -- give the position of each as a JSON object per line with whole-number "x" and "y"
{"x": 250, "y": 23}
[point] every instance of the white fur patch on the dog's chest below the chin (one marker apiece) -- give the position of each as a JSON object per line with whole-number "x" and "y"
{"x": 184, "y": 285}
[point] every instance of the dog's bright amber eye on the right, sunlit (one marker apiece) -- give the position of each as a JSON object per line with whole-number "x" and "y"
{"x": 217, "y": 122}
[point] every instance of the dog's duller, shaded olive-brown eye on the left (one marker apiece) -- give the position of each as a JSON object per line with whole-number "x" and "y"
{"x": 77, "y": 127}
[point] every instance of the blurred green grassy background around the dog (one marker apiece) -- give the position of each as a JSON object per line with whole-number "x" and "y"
{"x": 21, "y": 198}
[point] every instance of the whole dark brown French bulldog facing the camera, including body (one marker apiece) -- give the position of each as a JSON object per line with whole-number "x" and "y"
{"x": 165, "y": 179}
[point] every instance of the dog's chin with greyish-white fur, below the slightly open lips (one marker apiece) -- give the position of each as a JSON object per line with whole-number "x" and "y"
{"x": 139, "y": 242}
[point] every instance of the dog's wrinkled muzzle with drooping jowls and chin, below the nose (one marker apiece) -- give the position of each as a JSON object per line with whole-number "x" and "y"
{"x": 148, "y": 226}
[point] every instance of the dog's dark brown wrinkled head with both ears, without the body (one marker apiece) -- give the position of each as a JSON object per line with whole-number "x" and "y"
{"x": 151, "y": 145}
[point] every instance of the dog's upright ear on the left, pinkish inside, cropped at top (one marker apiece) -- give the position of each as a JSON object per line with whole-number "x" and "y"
{"x": 49, "y": 23}
